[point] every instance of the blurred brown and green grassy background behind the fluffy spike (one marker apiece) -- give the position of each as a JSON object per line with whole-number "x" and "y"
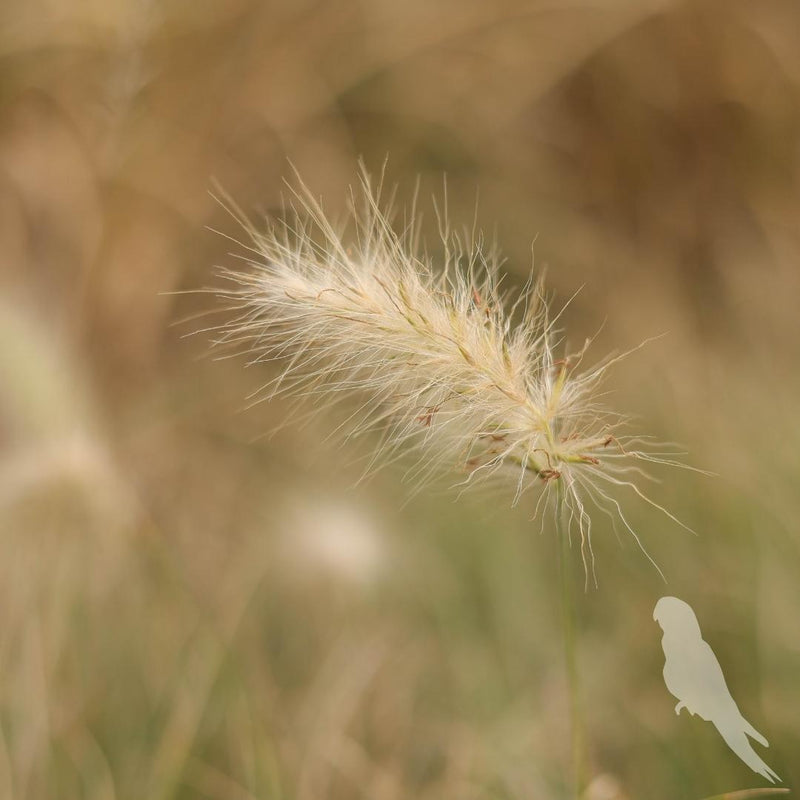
{"x": 192, "y": 609}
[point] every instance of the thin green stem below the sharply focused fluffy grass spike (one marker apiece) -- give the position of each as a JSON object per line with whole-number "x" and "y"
{"x": 569, "y": 623}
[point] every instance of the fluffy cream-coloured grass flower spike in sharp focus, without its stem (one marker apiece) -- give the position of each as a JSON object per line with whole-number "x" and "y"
{"x": 433, "y": 354}
